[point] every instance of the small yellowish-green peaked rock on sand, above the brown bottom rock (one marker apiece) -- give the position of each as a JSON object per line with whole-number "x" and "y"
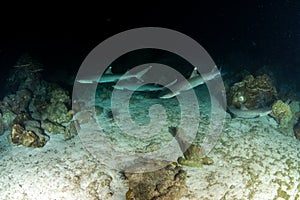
{"x": 193, "y": 157}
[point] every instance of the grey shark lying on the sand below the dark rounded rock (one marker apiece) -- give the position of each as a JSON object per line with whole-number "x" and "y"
{"x": 245, "y": 113}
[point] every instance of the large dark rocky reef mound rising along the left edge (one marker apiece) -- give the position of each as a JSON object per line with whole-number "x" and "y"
{"x": 36, "y": 108}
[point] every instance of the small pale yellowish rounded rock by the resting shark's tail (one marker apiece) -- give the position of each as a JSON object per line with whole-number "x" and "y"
{"x": 282, "y": 113}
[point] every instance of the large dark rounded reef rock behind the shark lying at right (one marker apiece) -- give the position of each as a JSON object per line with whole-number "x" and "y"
{"x": 252, "y": 92}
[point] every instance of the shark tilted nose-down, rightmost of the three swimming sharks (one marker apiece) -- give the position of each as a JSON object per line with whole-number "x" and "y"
{"x": 194, "y": 80}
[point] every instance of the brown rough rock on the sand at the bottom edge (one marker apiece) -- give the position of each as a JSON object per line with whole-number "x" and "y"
{"x": 165, "y": 183}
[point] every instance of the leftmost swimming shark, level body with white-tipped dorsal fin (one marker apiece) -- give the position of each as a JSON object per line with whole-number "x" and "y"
{"x": 109, "y": 77}
